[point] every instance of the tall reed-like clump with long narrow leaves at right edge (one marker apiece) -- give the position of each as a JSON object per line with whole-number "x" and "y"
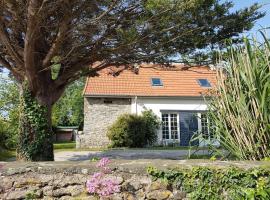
{"x": 241, "y": 104}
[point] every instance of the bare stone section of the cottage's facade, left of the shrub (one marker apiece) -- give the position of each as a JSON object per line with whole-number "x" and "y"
{"x": 99, "y": 114}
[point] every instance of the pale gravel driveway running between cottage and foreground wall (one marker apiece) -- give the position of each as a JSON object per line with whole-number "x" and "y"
{"x": 125, "y": 154}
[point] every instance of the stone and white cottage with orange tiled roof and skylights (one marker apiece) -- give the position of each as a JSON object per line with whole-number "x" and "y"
{"x": 175, "y": 94}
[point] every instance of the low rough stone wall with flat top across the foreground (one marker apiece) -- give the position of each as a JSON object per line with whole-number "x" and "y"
{"x": 66, "y": 180}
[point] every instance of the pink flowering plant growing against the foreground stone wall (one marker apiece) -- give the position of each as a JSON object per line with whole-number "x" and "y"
{"x": 101, "y": 185}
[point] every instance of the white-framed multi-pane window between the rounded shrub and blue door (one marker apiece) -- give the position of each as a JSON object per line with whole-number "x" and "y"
{"x": 170, "y": 126}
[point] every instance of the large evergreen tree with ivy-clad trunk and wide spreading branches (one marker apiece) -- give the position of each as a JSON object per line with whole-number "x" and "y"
{"x": 47, "y": 44}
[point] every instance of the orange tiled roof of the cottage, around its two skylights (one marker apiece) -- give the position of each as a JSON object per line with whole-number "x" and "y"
{"x": 176, "y": 80}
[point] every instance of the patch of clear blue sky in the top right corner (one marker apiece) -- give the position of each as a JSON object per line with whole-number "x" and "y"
{"x": 263, "y": 22}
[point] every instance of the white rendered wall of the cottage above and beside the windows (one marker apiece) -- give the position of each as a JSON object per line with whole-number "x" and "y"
{"x": 166, "y": 104}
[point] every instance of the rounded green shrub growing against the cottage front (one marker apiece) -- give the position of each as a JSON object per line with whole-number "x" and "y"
{"x": 132, "y": 130}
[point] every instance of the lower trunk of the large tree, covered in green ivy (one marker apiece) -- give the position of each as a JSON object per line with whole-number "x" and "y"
{"x": 35, "y": 133}
